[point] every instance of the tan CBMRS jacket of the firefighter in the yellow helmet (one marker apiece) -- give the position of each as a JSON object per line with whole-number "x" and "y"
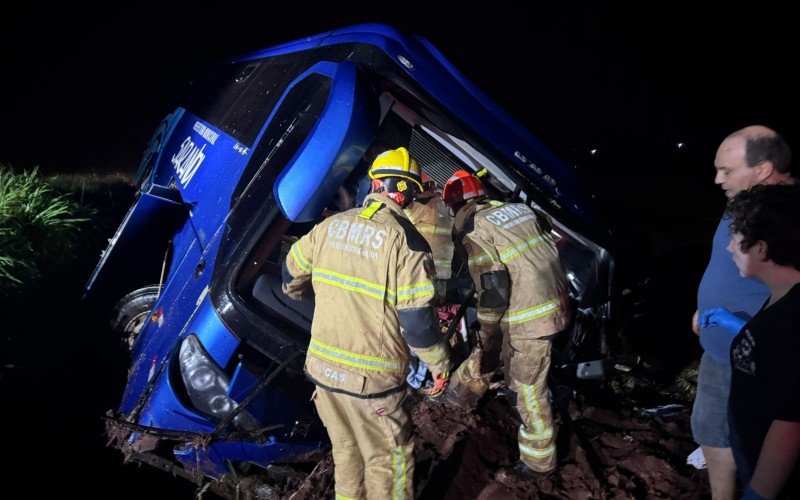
{"x": 371, "y": 274}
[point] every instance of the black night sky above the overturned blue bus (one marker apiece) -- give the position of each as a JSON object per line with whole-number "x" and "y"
{"x": 631, "y": 82}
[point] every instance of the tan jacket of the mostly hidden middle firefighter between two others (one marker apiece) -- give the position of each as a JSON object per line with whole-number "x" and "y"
{"x": 432, "y": 219}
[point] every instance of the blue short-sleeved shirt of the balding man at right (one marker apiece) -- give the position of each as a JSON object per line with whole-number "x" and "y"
{"x": 723, "y": 286}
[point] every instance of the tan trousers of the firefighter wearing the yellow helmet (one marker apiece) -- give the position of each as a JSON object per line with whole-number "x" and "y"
{"x": 372, "y": 444}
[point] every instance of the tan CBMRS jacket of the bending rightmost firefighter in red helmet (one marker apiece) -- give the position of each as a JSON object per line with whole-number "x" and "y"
{"x": 519, "y": 280}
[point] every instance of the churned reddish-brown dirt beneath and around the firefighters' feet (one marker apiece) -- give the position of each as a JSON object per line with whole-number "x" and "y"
{"x": 606, "y": 449}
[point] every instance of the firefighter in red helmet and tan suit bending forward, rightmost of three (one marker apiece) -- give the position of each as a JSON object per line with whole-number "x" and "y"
{"x": 522, "y": 301}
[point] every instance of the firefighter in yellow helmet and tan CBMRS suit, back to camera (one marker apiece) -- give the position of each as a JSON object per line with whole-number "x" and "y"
{"x": 372, "y": 277}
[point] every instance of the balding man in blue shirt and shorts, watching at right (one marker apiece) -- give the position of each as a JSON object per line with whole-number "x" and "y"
{"x": 750, "y": 156}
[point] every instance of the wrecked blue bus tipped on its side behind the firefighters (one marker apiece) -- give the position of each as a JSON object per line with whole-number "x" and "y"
{"x": 262, "y": 148}
